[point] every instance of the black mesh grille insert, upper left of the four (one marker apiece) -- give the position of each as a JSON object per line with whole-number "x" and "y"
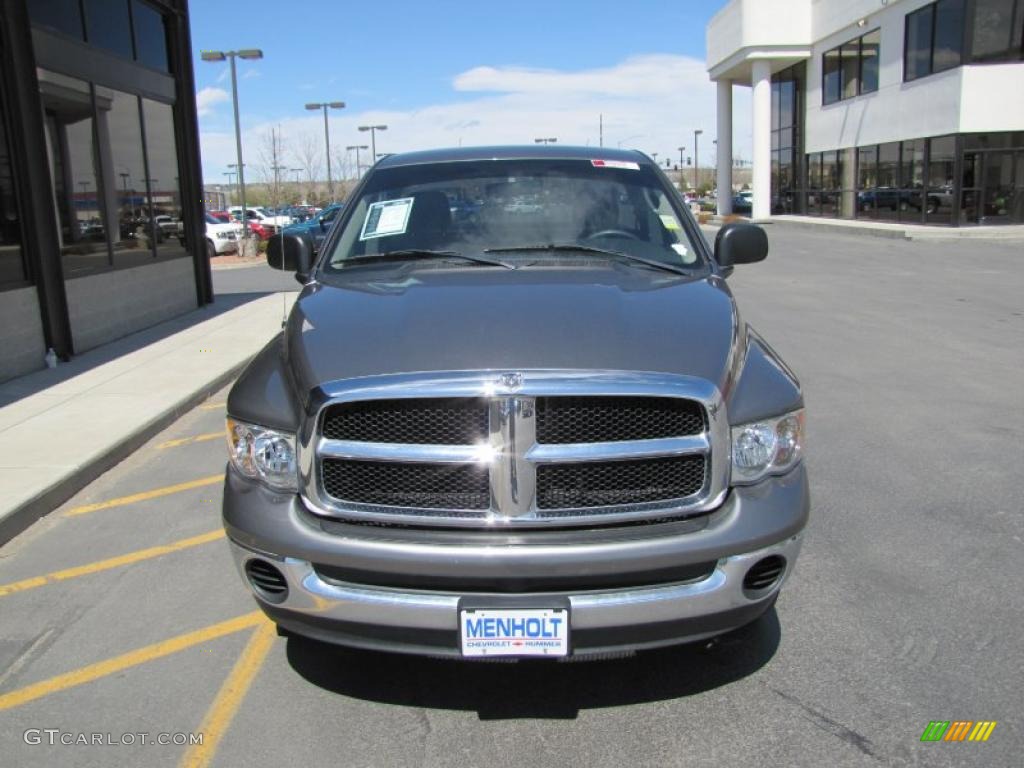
{"x": 455, "y": 421}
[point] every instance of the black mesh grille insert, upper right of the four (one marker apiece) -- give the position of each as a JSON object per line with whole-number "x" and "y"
{"x": 608, "y": 419}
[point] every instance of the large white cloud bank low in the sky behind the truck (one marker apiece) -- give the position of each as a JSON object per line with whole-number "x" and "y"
{"x": 653, "y": 103}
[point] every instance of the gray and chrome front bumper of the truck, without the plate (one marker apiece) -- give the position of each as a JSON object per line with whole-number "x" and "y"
{"x": 755, "y": 523}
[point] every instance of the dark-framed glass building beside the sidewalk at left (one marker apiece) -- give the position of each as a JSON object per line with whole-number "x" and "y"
{"x": 101, "y": 214}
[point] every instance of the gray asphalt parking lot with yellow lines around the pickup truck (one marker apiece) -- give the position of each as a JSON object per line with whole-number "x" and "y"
{"x": 121, "y": 613}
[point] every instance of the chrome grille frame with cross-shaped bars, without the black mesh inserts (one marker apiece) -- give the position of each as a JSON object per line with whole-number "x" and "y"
{"x": 513, "y": 451}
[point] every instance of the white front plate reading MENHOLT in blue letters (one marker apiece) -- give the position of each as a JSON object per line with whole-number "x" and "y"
{"x": 515, "y": 632}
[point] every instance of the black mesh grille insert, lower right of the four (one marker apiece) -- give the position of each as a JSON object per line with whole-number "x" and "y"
{"x": 607, "y": 484}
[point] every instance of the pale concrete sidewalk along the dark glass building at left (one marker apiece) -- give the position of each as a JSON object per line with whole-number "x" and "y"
{"x": 65, "y": 428}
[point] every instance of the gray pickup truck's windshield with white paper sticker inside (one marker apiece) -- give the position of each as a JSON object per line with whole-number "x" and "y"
{"x": 474, "y": 207}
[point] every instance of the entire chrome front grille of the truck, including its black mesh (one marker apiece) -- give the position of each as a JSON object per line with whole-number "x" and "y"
{"x": 526, "y": 449}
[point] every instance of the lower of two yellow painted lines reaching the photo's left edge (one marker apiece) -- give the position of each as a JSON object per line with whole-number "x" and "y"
{"x": 125, "y": 661}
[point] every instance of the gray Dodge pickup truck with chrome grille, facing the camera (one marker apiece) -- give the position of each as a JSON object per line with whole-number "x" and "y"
{"x": 515, "y": 412}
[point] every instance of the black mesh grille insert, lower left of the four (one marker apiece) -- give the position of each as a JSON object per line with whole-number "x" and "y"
{"x": 408, "y": 485}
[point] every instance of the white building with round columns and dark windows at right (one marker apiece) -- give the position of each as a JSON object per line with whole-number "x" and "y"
{"x": 907, "y": 111}
